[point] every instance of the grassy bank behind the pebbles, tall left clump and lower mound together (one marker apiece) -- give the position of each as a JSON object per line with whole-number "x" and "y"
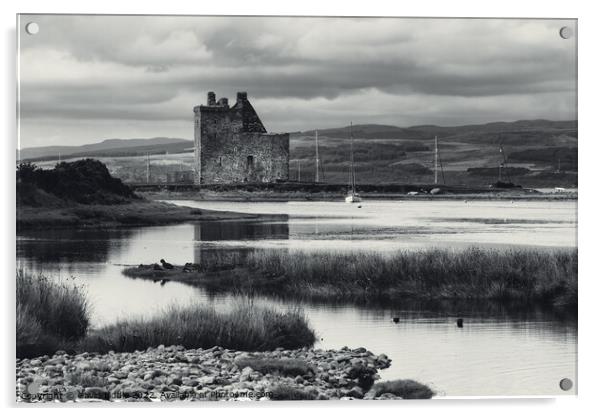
{"x": 54, "y": 316}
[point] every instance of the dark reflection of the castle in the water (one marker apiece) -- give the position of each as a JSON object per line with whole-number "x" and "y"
{"x": 210, "y": 257}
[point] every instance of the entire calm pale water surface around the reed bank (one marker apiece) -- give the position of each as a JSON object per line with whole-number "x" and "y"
{"x": 500, "y": 351}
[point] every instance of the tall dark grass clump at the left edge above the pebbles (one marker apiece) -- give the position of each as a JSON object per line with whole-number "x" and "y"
{"x": 50, "y": 314}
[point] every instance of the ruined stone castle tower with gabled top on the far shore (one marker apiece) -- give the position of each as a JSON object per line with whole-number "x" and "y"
{"x": 232, "y": 145}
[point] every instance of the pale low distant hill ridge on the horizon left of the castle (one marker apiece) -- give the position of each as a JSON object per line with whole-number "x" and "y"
{"x": 109, "y": 147}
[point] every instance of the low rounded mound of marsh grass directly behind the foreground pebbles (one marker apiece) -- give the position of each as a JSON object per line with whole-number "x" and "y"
{"x": 246, "y": 327}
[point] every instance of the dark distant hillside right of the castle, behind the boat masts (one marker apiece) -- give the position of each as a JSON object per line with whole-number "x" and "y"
{"x": 538, "y": 153}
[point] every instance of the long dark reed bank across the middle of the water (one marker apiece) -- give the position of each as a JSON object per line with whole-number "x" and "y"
{"x": 520, "y": 275}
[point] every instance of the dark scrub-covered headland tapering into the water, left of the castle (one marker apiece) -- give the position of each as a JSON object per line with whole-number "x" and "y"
{"x": 84, "y": 194}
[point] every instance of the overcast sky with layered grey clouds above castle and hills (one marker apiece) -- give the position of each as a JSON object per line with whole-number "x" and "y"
{"x": 89, "y": 78}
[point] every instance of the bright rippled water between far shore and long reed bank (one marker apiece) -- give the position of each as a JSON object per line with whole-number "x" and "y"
{"x": 391, "y": 225}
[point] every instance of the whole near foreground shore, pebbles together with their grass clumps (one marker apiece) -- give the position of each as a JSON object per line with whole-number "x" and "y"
{"x": 248, "y": 353}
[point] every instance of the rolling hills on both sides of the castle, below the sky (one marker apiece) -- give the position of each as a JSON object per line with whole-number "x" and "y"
{"x": 539, "y": 153}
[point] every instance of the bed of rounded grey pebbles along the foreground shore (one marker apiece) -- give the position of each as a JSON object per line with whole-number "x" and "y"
{"x": 174, "y": 373}
